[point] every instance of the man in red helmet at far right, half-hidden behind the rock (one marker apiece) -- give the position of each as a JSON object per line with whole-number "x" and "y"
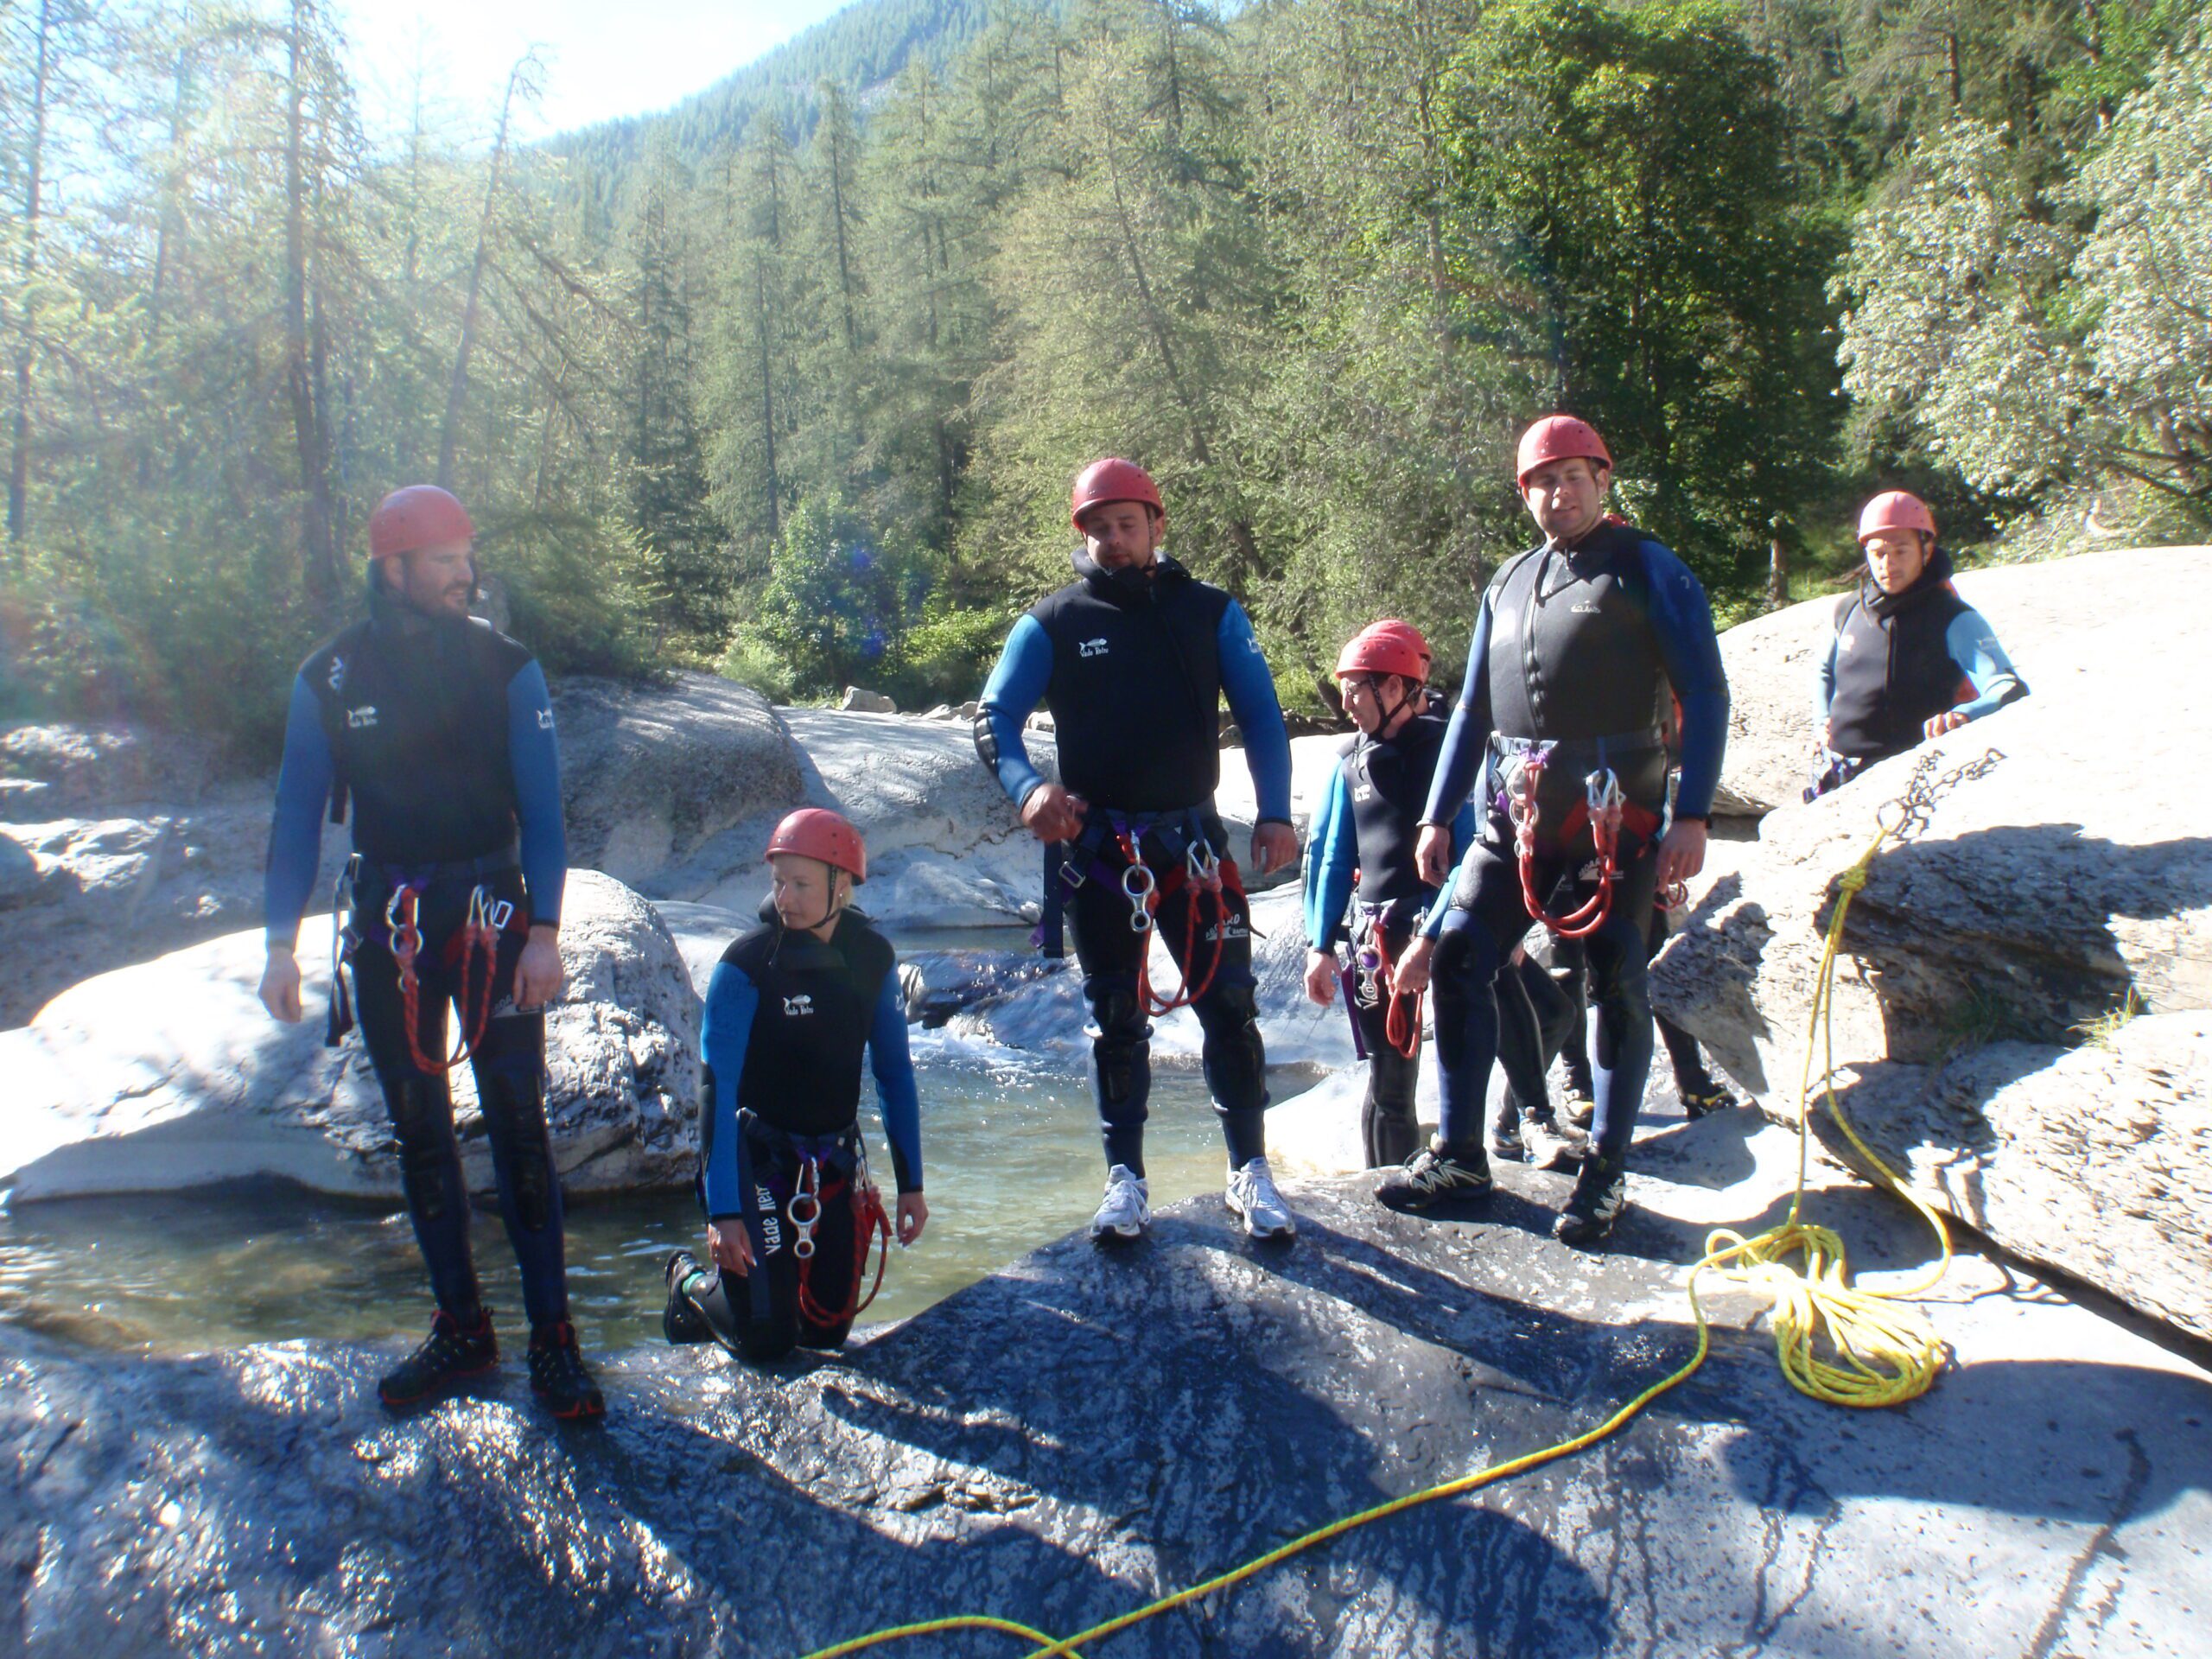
{"x": 1908, "y": 660}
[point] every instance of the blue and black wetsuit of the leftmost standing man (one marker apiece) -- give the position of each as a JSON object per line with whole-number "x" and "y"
{"x": 441, "y": 738}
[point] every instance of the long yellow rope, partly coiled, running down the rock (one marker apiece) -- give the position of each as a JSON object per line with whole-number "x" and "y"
{"x": 1890, "y": 1355}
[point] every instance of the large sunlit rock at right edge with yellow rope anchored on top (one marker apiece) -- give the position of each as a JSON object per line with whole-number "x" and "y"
{"x": 2049, "y": 888}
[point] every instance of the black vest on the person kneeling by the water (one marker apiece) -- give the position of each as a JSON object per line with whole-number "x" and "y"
{"x": 811, "y": 1032}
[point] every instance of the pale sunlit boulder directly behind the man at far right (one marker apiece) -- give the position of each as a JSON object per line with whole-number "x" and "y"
{"x": 2038, "y": 614}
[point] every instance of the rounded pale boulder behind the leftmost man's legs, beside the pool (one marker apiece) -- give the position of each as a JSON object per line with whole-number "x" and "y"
{"x": 171, "y": 1074}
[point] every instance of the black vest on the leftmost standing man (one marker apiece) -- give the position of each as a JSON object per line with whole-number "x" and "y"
{"x": 417, "y": 724}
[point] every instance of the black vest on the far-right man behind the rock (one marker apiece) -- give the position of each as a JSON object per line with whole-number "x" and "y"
{"x": 1895, "y": 667}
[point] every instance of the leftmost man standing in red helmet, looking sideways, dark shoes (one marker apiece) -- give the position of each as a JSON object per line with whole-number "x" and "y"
{"x": 441, "y": 733}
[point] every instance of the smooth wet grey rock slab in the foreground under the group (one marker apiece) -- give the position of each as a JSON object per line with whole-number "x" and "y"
{"x": 1085, "y": 1432}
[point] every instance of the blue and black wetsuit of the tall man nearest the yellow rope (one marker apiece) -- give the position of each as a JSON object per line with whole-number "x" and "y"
{"x": 1578, "y": 649}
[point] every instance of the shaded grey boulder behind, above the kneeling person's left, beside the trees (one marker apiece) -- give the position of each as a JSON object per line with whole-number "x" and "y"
{"x": 654, "y": 773}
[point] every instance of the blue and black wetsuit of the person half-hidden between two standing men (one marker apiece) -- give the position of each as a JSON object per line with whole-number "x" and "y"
{"x": 1368, "y": 824}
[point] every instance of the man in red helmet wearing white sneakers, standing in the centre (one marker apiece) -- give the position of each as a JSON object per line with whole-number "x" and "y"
{"x": 1134, "y": 660}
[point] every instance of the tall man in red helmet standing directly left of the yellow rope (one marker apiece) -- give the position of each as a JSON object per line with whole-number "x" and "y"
{"x": 1569, "y": 671}
